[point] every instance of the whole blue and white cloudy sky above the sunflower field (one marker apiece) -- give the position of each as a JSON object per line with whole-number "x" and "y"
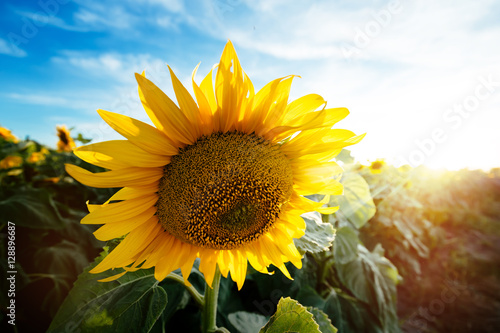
{"x": 421, "y": 79}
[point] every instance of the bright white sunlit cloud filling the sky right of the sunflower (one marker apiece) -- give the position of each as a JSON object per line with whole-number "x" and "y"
{"x": 414, "y": 66}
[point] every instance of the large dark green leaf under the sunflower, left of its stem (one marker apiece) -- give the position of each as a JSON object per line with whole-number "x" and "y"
{"x": 132, "y": 303}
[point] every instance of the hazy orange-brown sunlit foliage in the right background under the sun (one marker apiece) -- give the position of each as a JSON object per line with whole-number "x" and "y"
{"x": 441, "y": 230}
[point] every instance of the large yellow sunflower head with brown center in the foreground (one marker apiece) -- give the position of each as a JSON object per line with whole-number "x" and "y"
{"x": 222, "y": 178}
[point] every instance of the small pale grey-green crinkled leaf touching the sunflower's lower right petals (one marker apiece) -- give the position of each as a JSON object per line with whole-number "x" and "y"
{"x": 319, "y": 235}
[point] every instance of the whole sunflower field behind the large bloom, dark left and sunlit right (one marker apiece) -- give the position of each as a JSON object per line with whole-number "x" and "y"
{"x": 409, "y": 250}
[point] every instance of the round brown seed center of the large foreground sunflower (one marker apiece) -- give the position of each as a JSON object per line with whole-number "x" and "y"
{"x": 224, "y": 190}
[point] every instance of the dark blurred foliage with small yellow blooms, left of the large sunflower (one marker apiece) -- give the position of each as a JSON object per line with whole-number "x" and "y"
{"x": 51, "y": 246}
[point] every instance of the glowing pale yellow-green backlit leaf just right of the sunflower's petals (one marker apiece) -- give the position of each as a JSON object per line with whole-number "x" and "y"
{"x": 356, "y": 204}
